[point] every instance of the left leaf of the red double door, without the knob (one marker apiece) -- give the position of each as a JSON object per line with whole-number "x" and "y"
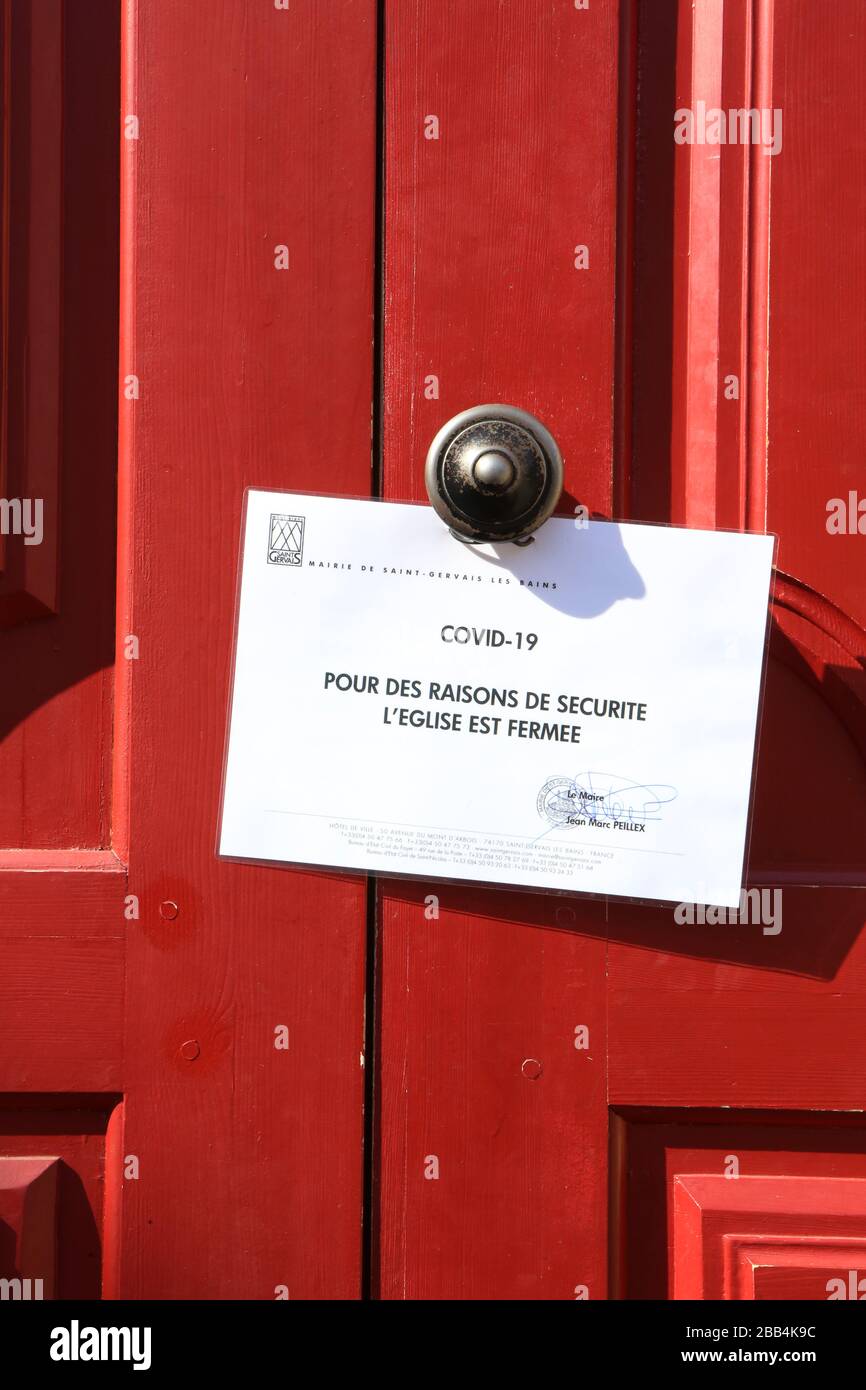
{"x": 181, "y": 1039}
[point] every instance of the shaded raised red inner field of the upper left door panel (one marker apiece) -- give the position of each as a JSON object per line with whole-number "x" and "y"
{"x": 31, "y": 305}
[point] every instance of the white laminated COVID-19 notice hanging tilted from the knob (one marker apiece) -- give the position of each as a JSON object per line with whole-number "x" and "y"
{"x": 578, "y": 714}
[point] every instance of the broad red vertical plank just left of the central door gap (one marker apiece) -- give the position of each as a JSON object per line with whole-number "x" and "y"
{"x": 256, "y": 131}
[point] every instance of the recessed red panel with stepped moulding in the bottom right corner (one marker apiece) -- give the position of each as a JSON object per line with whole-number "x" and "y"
{"x": 736, "y": 1204}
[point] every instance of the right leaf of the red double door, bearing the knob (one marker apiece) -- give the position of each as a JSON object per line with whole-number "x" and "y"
{"x": 591, "y": 1077}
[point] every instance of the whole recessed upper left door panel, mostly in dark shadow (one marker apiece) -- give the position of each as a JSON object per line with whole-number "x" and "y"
{"x": 60, "y": 425}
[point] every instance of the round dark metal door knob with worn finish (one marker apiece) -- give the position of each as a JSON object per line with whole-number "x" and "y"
{"x": 494, "y": 473}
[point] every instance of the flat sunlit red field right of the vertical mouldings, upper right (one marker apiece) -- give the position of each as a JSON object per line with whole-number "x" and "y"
{"x": 818, "y": 343}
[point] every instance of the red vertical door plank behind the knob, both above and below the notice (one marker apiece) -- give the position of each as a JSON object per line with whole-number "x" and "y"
{"x": 482, "y": 291}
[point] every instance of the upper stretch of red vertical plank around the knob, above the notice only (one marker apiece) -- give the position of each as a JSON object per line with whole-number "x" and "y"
{"x": 482, "y": 226}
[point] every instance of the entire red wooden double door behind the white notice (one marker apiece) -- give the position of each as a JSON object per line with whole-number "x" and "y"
{"x": 227, "y": 1081}
